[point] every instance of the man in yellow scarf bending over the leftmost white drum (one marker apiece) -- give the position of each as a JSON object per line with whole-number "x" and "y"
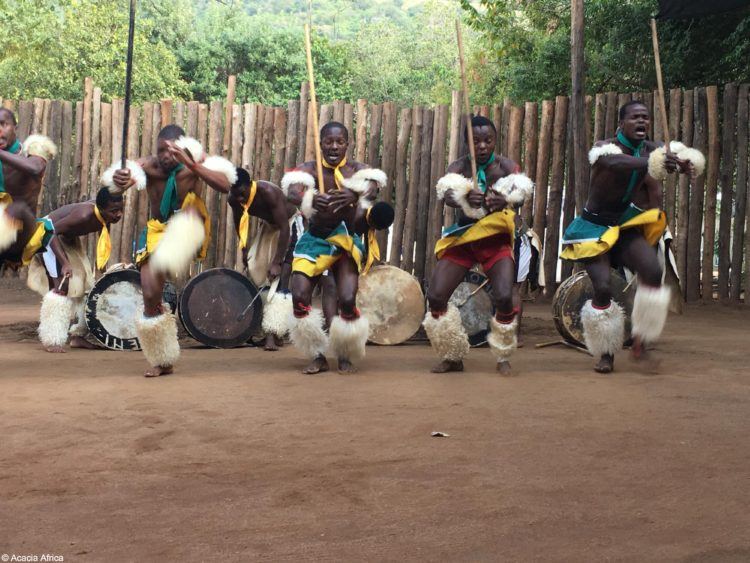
{"x": 62, "y": 272}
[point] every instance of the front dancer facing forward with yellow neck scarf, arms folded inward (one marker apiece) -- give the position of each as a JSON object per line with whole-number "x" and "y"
{"x": 330, "y": 243}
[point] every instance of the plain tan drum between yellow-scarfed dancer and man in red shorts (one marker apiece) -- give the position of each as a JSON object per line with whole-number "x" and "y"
{"x": 392, "y": 302}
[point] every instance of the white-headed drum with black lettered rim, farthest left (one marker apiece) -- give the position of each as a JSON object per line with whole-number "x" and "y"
{"x": 114, "y": 304}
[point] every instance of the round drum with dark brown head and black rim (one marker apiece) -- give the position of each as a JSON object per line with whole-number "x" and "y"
{"x": 219, "y": 308}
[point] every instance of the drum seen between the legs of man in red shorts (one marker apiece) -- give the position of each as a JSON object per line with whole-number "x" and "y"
{"x": 475, "y": 306}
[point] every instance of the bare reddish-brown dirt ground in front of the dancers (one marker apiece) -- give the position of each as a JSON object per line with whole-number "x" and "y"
{"x": 238, "y": 457}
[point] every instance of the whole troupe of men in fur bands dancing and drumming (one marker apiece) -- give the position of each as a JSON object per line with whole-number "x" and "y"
{"x": 324, "y": 235}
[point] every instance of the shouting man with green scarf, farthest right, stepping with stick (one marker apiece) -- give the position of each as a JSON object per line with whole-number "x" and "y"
{"x": 613, "y": 229}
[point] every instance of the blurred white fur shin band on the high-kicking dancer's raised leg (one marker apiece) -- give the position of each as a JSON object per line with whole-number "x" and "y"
{"x": 179, "y": 245}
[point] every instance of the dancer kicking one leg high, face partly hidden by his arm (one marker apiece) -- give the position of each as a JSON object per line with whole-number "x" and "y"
{"x": 178, "y": 230}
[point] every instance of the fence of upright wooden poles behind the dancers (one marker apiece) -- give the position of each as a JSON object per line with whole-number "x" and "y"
{"x": 413, "y": 146}
